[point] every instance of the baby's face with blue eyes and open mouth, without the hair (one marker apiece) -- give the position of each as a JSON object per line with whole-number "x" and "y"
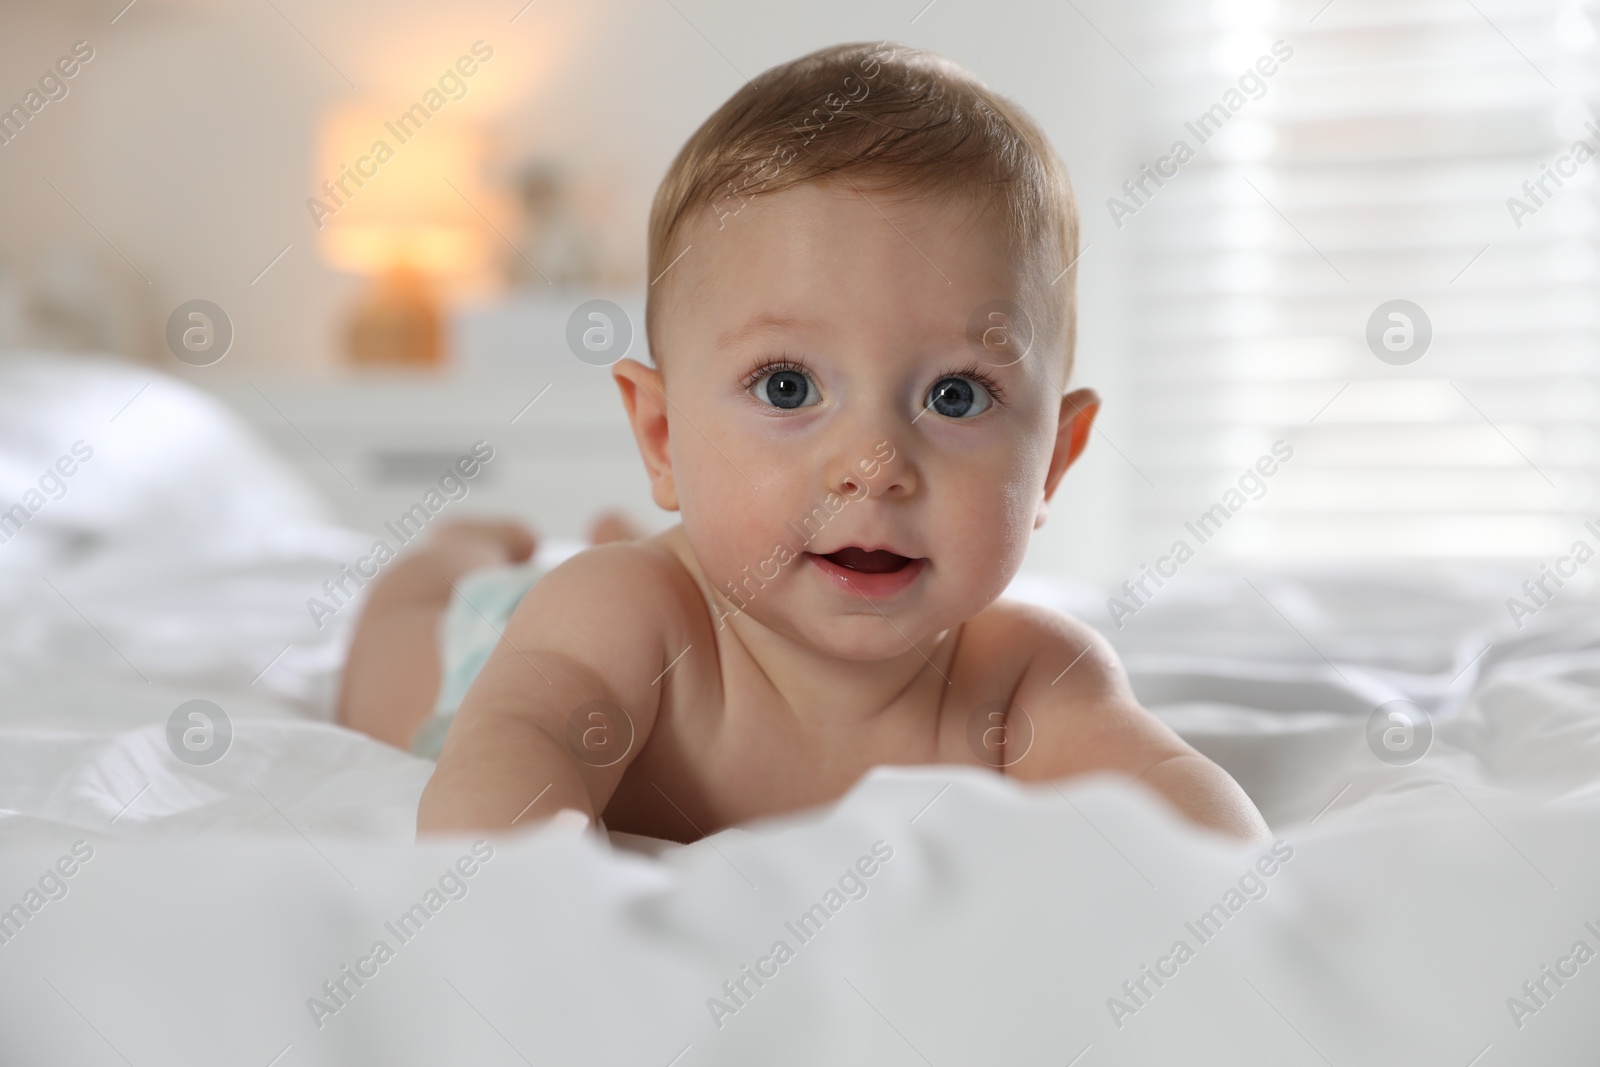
{"x": 849, "y": 457}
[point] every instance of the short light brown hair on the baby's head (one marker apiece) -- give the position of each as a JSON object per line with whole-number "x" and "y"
{"x": 903, "y": 119}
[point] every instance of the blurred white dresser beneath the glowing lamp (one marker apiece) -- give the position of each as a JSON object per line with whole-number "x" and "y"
{"x": 377, "y": 442}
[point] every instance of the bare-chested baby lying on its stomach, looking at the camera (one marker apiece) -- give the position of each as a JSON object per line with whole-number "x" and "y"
{"x": 862, "y": 330}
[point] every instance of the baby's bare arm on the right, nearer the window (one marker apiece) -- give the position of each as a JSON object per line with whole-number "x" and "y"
{"x": 1089, "y": 721}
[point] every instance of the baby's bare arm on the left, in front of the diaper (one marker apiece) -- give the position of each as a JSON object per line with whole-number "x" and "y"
{"x": 594, "y": 629}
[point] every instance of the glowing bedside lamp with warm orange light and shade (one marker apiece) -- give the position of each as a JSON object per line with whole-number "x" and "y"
{"x": 396, "y": 204}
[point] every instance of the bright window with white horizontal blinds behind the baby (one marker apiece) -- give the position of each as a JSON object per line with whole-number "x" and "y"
{"x": 1401, "y": 153}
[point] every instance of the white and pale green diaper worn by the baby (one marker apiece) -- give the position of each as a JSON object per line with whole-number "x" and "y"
{"x": 478, "y": 615}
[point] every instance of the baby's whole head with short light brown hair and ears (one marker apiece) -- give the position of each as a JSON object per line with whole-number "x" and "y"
{"x": 862, "y": 322}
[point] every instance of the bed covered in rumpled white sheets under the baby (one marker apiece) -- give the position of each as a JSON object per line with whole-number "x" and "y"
{"x": 1434, "y": 909}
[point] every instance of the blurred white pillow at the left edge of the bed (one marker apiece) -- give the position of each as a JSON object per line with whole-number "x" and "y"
{"x": 105, "y": 454}
